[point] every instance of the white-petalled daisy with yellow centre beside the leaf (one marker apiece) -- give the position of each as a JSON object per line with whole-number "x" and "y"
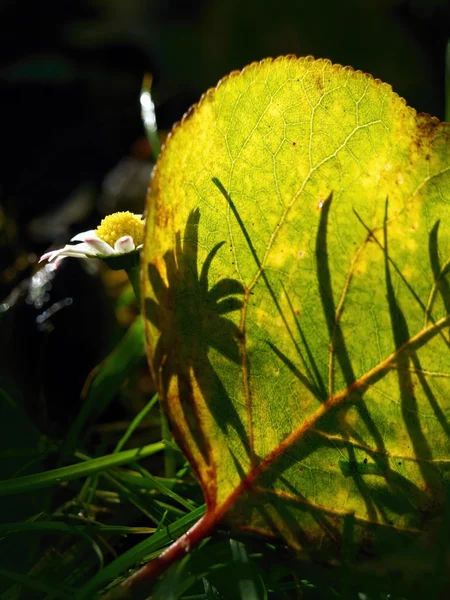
{"x": 119, "y": 234}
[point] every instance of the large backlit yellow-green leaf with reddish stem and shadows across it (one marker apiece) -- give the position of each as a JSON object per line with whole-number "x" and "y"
{"x": 297, "y": 306}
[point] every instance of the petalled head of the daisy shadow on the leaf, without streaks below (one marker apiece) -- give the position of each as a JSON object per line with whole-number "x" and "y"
{"x": 188, "y": 314}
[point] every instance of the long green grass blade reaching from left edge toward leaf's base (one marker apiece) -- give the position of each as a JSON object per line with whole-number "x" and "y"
{"x": 44, "y": 479}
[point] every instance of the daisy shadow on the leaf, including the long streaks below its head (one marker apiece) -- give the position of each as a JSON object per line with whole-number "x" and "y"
{"x": 191, "y": 319}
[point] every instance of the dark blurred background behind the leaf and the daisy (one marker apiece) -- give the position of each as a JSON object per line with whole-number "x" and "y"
{"x": 74, "y": 148}
